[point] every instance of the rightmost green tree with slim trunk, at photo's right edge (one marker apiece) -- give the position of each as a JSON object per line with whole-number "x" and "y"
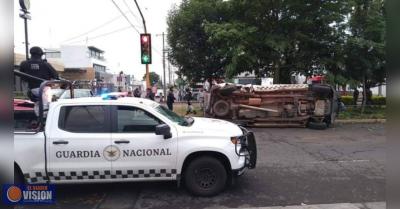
{"x": 365, "y": 46}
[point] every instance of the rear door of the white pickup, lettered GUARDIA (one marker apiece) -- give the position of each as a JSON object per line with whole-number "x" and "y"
{"x": 77, "y": 142}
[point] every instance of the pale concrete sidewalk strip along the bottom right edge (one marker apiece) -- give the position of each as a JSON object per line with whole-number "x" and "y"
{"x": 370, "y": 205}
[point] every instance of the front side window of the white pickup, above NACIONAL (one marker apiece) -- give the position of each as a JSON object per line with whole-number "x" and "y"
{"x": 135, "y": 120}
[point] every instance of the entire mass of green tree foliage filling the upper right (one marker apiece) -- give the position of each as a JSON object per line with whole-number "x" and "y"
{"x": 216, "y": 38}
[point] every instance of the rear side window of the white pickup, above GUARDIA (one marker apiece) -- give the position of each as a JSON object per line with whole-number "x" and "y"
{"x": 83, "y": 119}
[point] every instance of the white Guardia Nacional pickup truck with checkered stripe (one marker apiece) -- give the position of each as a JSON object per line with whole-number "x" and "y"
{"x": 94, "y": 140}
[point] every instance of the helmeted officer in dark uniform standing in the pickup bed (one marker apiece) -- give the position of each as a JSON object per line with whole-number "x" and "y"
{"x": 37, "y": 67}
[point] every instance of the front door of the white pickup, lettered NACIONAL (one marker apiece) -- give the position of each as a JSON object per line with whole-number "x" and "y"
{"x": 143, "y": 154}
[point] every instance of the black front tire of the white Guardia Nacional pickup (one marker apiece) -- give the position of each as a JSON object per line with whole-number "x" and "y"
{"x": 205, "y": 176}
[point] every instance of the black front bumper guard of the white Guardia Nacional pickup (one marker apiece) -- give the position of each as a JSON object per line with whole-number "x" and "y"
{"x": 248, "y": 149}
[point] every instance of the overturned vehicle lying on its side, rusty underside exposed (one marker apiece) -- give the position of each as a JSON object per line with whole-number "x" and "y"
{"x": 282, "y": 105}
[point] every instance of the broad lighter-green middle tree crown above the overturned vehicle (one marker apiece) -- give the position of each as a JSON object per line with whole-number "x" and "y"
{"x": 279, "y": 38}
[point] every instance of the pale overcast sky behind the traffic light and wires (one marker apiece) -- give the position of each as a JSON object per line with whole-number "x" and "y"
{"x": 54, "y": 22}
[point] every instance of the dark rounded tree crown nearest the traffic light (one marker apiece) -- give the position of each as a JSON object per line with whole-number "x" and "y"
{"x": 191, "y": 52}
